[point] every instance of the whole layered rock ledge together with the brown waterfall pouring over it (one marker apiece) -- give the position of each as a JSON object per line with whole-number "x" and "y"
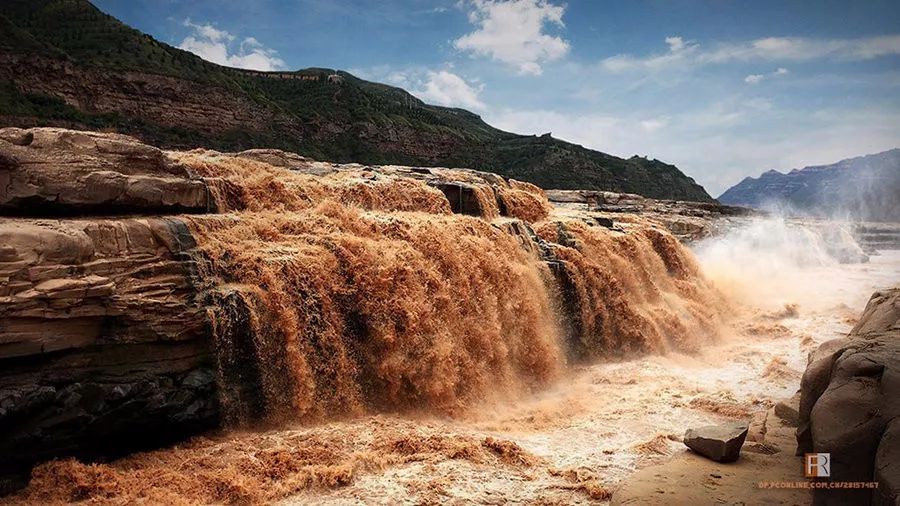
{"x": 149, "y": 295}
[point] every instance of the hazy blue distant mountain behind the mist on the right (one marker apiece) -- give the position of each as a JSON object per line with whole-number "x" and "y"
{"x": 864, "y": 188}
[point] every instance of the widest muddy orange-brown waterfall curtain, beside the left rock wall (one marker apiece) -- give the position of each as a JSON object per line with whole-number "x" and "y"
{"x": 357, "y": 311}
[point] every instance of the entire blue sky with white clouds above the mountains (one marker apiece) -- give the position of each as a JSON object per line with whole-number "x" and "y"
{"x": 721, "y": 88}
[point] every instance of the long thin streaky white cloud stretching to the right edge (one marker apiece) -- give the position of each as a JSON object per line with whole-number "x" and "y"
{"x": 766, "y": 49}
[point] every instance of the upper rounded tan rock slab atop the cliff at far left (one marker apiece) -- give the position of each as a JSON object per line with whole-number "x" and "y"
{"x": 55, "y": 171}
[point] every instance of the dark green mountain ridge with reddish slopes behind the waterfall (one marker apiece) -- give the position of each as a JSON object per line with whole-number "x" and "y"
{"x": 65, "y": 63}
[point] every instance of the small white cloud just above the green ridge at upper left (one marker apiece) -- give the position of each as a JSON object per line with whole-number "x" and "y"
{"x": 217, "y": 46}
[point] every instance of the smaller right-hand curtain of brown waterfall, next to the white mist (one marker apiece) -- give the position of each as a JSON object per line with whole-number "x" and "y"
{"x": 628, "y": 293}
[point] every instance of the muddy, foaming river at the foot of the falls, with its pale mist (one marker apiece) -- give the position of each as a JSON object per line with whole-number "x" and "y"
{"x": 573, "y": 442}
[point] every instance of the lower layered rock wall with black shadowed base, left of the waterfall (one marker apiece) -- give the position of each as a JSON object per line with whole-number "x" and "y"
{"x": 103, "y": 343}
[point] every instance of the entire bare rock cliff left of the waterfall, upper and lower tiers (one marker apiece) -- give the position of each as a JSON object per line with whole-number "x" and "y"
{"x": 102, "y": 334}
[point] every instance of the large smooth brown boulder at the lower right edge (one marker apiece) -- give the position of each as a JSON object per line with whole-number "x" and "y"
{"x": 850, "y": 405}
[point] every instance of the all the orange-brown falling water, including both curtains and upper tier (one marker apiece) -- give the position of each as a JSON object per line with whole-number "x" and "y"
{"x": 357, "y": 291}
